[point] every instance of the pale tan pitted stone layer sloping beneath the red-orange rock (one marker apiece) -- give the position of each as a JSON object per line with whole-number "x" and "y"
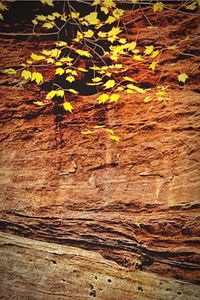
{"x": 41, "y": 270}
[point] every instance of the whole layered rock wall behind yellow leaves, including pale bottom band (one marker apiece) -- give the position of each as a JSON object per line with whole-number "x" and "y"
{"x": 133, "y": 205}
